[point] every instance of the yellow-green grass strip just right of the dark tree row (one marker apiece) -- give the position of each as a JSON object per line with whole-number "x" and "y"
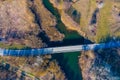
{"x": 103, "y": 22}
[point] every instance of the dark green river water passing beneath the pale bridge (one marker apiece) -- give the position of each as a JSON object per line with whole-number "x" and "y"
{"x": 68, "y": 62}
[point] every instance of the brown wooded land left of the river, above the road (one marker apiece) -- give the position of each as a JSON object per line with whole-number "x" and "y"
{"x": 22, "y": 22}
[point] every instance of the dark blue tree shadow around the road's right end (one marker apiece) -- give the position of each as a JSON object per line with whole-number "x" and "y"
{"x": 111, "y": 55}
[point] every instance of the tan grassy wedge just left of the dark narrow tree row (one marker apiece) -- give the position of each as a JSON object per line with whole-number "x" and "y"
{"x": 86, "y": 8}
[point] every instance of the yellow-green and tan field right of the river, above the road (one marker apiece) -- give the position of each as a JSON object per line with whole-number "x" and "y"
{"x": 106, "y": 24}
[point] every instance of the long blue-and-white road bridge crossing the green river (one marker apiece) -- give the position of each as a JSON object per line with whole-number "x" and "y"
{"x": 54, "y": 50}
